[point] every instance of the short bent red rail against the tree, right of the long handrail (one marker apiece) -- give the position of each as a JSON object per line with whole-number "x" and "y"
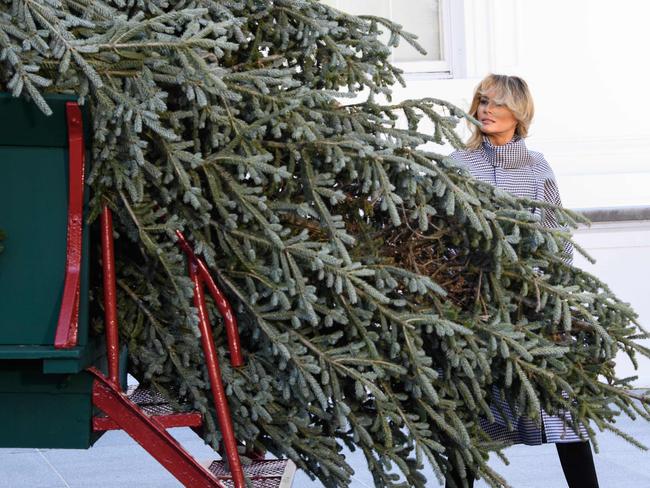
{"x": 236, "y": 357}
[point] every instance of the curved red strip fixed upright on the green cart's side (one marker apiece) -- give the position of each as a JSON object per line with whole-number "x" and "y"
{"x": 68, "y": 323}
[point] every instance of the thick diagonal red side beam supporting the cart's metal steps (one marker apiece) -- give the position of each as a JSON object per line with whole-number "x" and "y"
{"x": 150, "y": 434}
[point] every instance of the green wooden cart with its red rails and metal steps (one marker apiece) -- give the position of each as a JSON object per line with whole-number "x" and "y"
{"x": 60, "y": 386}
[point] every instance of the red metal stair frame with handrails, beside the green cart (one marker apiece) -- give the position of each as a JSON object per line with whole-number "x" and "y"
{"x": 149, "y": 431}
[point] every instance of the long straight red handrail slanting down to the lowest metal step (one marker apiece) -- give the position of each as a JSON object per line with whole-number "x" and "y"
{"x": 216, "y": 384}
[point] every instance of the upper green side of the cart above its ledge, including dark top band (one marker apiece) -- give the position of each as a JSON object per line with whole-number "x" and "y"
{"x": 33, "y": 215}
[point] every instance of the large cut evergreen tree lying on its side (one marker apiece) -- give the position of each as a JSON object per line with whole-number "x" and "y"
{"x": 382, "y": 294}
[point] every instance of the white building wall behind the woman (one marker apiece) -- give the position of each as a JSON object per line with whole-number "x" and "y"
{"x": 586, "y": 62}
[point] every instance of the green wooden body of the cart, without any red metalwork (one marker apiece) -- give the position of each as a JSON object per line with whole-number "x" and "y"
{"x": 45, "y": 398}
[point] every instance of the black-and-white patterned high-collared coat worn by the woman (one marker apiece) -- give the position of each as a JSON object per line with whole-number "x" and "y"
{"x": 515, "y": 169}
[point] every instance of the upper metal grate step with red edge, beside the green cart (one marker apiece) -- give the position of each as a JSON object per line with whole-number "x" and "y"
{"x": 154, "y": 405}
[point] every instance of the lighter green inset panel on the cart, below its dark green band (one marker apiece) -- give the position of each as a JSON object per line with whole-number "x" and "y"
{"x": 33, "y": 215}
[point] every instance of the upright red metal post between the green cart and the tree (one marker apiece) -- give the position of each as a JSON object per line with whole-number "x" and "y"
{"x": 110, "y": 301}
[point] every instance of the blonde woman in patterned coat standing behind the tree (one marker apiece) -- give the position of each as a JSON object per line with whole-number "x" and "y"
{"x": 497, "y": 154}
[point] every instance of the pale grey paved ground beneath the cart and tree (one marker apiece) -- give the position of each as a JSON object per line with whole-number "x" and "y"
{"x": 118, "y": 462}
